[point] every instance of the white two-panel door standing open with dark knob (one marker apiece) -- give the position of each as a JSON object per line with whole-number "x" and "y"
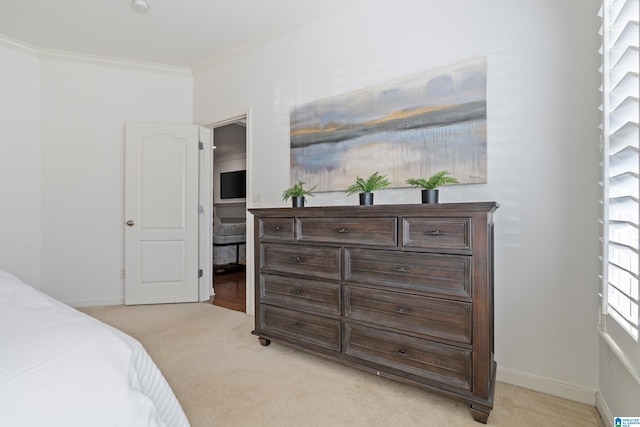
{"x": 161, "y": 213}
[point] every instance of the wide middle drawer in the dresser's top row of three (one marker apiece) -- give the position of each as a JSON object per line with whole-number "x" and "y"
{"x": 366, "y": 231}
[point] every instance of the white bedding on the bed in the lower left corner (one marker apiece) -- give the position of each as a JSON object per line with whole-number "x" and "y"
{"x": 60, "y": 367}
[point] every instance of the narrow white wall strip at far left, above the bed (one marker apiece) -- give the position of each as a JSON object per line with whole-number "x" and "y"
{"x": 20, "y": 162}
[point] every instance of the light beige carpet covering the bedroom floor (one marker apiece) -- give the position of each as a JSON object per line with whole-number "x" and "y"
{"x": 222, "y": 376}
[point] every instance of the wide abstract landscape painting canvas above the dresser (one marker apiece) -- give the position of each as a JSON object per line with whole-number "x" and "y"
{"x": 411, "y": 128}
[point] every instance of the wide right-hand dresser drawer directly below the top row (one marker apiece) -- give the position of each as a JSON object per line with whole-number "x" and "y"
{"x": 433, "y": 273}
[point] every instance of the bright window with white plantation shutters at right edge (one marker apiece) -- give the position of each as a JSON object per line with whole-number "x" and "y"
{"x": 621, "y": 188}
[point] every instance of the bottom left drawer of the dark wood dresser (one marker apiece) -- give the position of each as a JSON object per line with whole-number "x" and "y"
{"x": 301, "y": 327}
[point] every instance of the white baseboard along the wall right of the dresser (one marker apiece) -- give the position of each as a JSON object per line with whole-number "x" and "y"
{"x": 547, "y": 386}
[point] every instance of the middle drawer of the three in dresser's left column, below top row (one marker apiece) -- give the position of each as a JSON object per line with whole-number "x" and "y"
{"x": 300, "y": 293}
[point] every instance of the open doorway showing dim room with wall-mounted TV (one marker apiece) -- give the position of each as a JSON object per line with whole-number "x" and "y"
{"x": 229, "y": 214}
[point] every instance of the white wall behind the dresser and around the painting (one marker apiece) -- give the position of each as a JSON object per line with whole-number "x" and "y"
{"x": 542, "y": 141}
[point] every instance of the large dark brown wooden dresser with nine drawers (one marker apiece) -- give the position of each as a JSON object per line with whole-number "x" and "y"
{"x": 402, "y": 291}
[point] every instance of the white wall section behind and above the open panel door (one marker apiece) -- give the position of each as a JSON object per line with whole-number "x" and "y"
{"x": 85, "y": 105}
